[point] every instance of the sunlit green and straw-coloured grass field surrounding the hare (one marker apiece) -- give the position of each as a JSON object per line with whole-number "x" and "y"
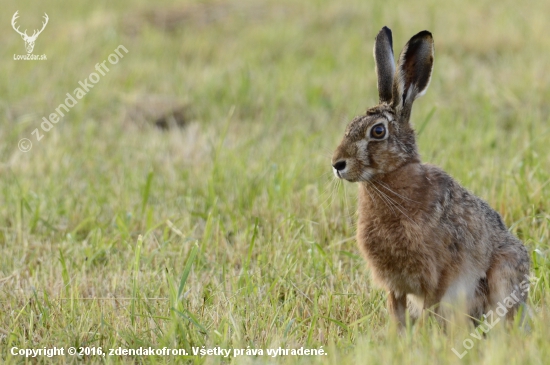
{"x": 226, "y": 228}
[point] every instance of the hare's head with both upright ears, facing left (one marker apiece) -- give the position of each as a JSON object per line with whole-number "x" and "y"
{"x": 383, "y": 140}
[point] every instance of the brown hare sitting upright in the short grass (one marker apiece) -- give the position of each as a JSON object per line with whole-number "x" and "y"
{"x": 427, "y": 240}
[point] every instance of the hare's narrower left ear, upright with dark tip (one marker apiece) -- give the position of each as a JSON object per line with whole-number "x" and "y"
{"x": 385, "y": 64}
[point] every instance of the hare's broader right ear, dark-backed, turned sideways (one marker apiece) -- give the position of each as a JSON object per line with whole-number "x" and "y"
{"x": 414, "y": 71}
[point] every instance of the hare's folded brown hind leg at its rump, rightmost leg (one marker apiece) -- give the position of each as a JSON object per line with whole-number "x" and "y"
{"x": 508, "y": 279}
